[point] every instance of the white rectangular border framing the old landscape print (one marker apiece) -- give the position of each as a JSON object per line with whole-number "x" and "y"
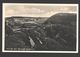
{"x": 38, "y": 4}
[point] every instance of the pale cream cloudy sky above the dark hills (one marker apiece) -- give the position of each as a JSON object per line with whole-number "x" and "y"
{"x": 36, "y": 10}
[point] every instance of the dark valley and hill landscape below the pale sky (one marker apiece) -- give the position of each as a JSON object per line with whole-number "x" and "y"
{"x": 57, "y": 32}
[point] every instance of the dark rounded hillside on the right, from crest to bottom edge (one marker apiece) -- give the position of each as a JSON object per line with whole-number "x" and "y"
{"x": 61, "y": 28}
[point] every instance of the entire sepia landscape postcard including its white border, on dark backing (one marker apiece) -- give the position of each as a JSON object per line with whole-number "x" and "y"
{"x": 40, "y": 28}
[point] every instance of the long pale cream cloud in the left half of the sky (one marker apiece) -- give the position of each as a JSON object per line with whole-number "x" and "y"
{"x": 22, "y": 10}
